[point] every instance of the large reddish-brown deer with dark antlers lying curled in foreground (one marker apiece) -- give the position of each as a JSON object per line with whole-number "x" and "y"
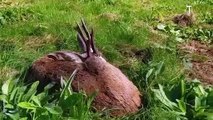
{"x": 115, "y": 91}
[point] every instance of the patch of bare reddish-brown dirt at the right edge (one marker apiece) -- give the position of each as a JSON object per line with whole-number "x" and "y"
{"x": 202, "y": 60}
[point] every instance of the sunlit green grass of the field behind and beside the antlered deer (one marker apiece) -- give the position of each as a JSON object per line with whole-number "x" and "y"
{"x": 30, "y": 29}
